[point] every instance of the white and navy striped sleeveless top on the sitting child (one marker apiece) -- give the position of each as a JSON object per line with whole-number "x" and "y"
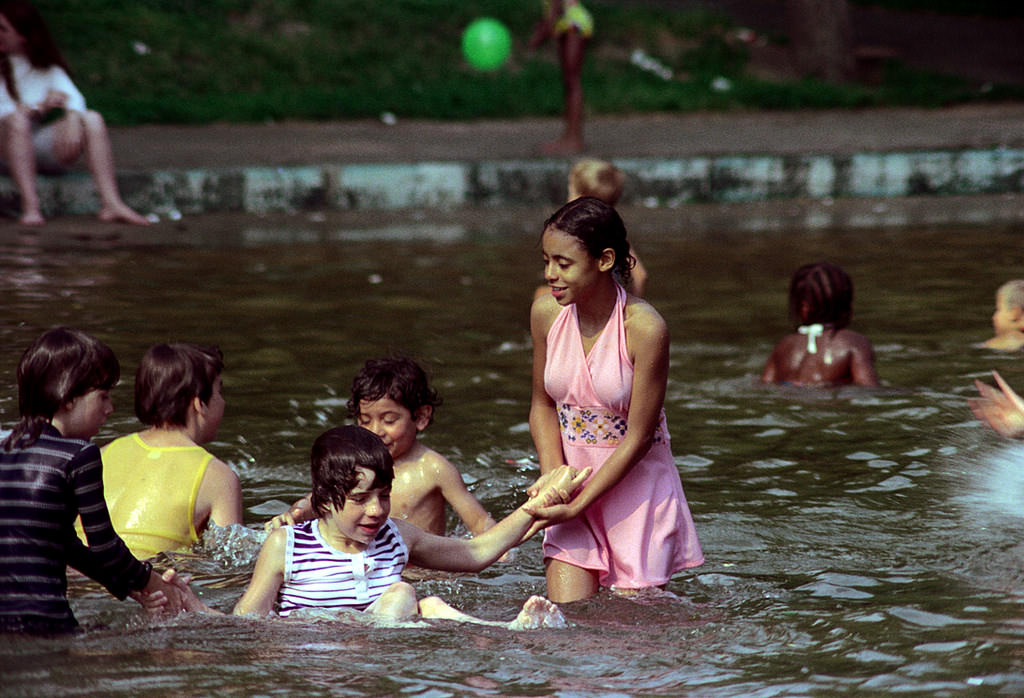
{"x": 317, "y": 576}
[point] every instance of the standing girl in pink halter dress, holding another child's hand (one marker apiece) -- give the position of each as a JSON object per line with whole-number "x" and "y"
{"x": 595, "y": 348}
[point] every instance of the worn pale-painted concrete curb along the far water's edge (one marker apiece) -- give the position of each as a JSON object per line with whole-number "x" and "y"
{"x": 653, "y": 183}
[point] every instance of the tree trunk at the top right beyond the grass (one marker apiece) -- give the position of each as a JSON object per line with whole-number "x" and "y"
{"x": 822, "y": 38}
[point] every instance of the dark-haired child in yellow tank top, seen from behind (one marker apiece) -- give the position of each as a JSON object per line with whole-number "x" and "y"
{"x": 162, "y": 488}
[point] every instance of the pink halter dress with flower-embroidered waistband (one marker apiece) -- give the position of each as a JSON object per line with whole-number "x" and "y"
{"x": 641, "y": 532}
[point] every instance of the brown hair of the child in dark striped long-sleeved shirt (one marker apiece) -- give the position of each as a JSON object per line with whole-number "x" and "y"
{"x": 62, "y": 365}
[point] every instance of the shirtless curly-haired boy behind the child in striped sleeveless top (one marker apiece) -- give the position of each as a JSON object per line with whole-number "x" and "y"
{"x": 392, "y": 398}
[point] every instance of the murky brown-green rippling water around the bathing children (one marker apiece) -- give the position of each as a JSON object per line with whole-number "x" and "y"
{"x": 858, "y": 541}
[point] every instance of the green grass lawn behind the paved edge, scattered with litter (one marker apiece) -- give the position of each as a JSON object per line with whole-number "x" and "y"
{"x": 239, "y": 61}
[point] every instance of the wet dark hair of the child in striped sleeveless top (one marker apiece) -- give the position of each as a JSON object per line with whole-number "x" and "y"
{"x": 337, "y": 455}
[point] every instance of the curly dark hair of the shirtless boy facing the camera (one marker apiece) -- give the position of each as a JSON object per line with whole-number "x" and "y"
{"x": 398, "y": 378}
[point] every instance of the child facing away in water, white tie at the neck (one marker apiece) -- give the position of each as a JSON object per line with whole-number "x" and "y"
{"x": 822, "y": 352}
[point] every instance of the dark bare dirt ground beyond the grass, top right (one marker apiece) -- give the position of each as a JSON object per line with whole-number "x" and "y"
{"x": 983, "y": 50}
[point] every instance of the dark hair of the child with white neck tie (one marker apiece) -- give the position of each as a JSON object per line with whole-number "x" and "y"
{"x": 826, "y": 291}
